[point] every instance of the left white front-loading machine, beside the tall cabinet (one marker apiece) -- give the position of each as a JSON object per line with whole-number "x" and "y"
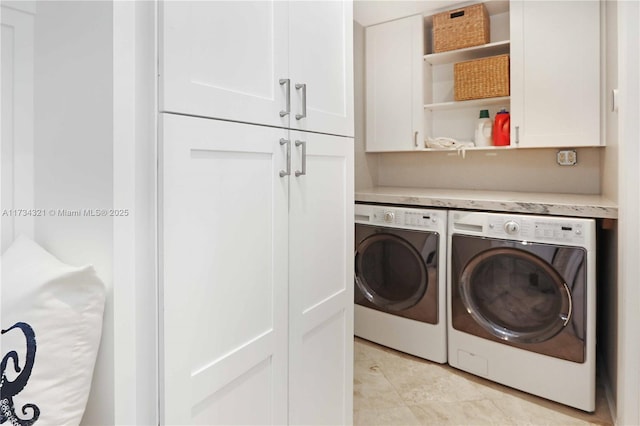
{"x": 400, "y": 273}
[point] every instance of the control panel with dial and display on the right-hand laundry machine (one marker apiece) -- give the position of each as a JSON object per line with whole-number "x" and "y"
{"x": 557, "y": 230}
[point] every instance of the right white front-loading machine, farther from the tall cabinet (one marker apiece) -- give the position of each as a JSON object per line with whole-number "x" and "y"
{"x": 521, "y": 297}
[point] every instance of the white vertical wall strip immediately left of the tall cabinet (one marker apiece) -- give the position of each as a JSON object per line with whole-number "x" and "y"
{"x": 134, "y": 257}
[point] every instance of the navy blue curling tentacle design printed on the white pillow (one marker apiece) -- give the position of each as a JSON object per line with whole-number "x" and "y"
{"x": 10, "y": 388}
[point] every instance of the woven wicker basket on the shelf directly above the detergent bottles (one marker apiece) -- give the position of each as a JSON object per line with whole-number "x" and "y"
{"x": 481, "y": 78}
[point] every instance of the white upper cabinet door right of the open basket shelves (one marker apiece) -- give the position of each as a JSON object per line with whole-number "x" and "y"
{"x": 555, "y": 73}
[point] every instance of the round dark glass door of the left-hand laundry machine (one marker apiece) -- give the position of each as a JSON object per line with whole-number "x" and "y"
{"x": 390, "y": 272}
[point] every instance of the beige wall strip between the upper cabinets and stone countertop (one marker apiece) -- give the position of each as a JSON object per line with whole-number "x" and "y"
{"x": 529, "y": 170}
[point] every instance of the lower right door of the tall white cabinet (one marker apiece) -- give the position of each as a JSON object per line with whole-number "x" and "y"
{"x": 321, "y": 281}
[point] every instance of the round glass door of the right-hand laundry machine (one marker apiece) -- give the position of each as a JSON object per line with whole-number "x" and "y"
{"x": 515, "y": 295}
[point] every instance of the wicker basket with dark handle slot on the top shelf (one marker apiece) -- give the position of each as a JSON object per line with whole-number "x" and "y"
{"x": 459, "y": 28}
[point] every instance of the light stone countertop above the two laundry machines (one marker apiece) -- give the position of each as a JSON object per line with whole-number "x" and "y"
{"x": 575, "y": 205}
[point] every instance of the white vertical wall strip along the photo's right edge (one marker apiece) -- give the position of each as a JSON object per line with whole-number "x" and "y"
{"x": 628, "y": 356}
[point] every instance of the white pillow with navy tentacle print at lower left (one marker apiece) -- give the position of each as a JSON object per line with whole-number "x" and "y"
{"x": 63, "y": 306}
